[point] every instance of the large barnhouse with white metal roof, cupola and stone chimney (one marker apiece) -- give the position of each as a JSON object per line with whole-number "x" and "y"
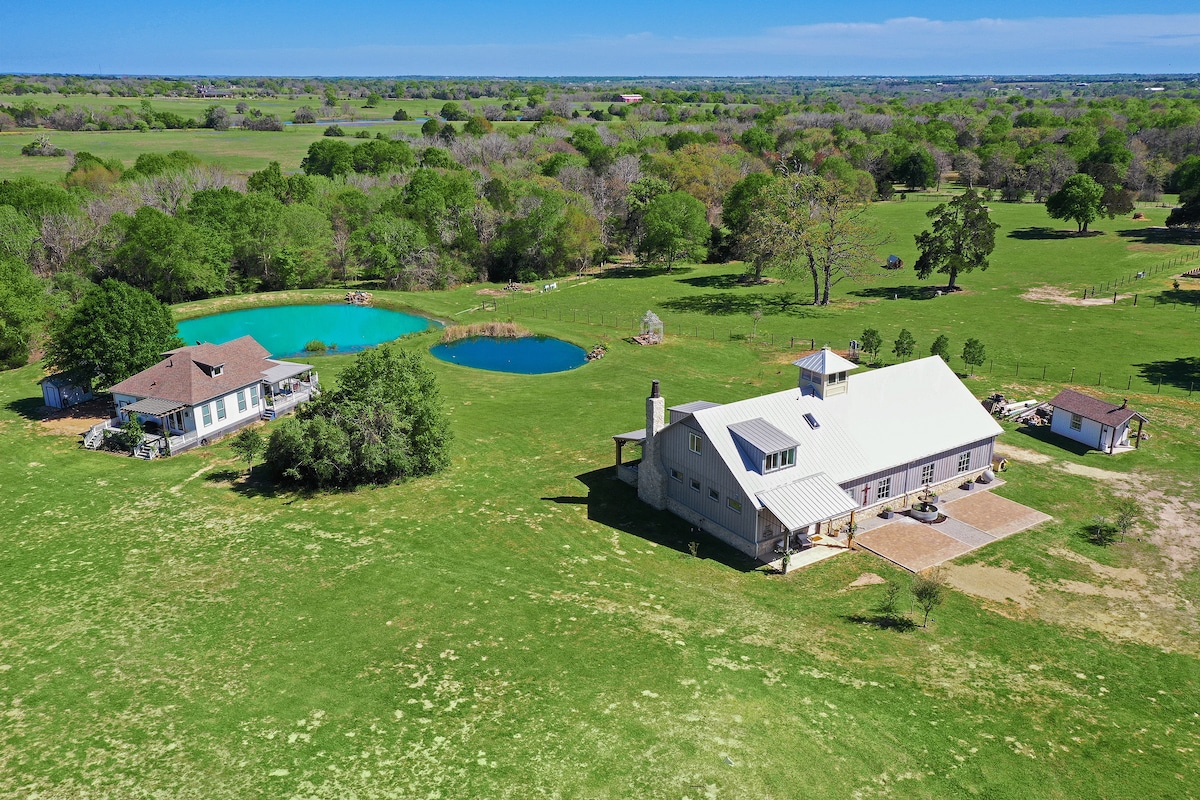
{"x": 802, "y": 461}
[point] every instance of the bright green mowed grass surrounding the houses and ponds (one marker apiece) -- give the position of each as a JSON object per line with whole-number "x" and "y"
{"x": 521, "y": 627}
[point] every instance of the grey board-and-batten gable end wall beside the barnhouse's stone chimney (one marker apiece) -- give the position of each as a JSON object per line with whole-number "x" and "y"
{"x": 712, "y": 473}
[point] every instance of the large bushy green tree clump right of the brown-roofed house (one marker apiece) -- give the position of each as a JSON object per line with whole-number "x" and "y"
{"x": 386, "y": 423}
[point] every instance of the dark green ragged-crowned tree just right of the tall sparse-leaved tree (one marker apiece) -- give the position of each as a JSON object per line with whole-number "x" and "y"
{"x": 961, "y": 240}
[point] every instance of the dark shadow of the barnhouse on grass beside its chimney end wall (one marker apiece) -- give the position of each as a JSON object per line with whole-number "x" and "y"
{"x": 615, "y": 504}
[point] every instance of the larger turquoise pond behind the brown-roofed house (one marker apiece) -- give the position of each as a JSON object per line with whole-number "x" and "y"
{"x": 285, "y": 330}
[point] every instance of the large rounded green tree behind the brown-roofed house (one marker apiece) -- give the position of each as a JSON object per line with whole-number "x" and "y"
{"x": 115, "y": 332}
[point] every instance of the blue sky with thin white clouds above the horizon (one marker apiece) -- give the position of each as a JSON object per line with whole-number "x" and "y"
{"x": 536, "y": 38}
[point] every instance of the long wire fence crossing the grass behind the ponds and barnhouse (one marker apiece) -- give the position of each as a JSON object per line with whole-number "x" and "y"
{"x": 1178, "y": 378}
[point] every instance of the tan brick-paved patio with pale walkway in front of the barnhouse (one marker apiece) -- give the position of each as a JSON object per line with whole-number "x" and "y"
{"x": 974, "y": 520}
